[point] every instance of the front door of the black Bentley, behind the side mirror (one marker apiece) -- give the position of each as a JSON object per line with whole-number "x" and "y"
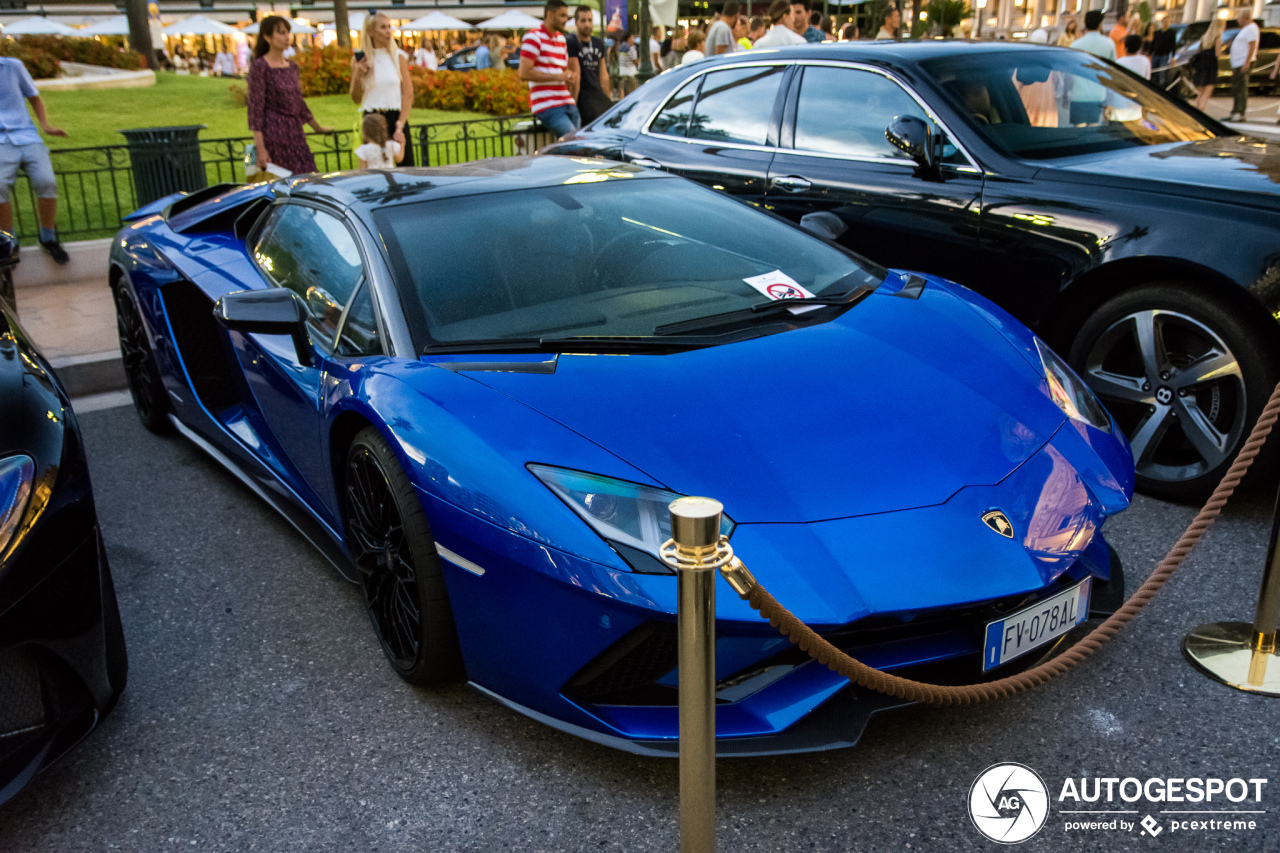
{"x": 834, "y": 157}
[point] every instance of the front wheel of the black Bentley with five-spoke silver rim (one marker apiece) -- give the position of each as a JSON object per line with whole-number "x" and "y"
{"x": 1186, "y": 378}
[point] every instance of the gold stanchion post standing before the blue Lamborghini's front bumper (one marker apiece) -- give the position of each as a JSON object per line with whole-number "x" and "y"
{"x": 696, "y": 555}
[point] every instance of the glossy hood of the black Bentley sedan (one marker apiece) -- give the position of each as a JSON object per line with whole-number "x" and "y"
{"x": 1204, "y": 168}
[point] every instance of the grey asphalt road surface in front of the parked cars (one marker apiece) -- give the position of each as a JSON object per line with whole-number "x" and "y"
{"x": 260, "y": 715}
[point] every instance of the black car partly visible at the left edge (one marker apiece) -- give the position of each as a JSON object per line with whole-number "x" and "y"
{"x": 62, "y": 647}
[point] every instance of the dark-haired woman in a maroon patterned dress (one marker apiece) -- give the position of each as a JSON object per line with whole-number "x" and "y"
{"x": 276, "y": 108}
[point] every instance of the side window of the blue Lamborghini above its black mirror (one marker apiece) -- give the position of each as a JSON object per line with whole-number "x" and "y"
{"x": 313, "y": 254}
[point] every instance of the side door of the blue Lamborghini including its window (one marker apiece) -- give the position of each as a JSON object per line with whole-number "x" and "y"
{"x": 312, "y": 252}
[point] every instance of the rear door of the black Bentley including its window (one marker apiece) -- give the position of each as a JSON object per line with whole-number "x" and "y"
{"x": 720, "y": 129}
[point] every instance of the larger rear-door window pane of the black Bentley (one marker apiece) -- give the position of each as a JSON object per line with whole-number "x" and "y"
{"x": 737, "y": 106}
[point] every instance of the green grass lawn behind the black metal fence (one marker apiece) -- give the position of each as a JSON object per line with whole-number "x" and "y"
{"x": 93, "y": 197}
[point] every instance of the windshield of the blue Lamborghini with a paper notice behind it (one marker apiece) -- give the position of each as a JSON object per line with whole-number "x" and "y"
{"x": 623, "y": 257}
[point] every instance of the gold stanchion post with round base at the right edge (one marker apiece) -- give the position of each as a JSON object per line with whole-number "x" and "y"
{"x": 1241, "y": 655}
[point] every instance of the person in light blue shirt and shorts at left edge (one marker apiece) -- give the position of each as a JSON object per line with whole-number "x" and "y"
{"x": 21, "y": 148}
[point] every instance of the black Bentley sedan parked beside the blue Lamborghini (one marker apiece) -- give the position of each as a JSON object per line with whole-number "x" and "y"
{"x": 1132, "y": 232}
